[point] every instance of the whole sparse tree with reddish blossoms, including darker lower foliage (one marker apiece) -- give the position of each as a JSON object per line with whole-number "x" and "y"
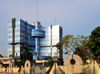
{"x": 79, "y": 45}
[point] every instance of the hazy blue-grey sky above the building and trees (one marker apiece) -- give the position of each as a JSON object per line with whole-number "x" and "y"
{"x": 77, "y": 17}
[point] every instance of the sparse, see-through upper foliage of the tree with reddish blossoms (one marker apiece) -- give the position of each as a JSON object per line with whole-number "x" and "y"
{"x": 71, "y": 42}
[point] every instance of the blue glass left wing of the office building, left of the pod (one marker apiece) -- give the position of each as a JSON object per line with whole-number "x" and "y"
{"x": 22, "y": 36}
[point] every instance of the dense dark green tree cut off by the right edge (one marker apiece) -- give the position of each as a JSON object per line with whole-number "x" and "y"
{"x": 95, "y": 40}
